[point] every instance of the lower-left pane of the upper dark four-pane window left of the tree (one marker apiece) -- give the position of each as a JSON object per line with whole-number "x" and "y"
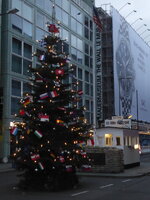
{"x": 16, "y": 64}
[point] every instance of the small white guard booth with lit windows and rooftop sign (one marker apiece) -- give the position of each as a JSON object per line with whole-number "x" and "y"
{"x": 118, "y": 133}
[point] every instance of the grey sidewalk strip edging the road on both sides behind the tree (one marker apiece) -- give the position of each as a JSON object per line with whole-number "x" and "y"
{"x": 138, "y": 171}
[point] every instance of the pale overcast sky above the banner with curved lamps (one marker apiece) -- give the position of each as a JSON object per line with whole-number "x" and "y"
{"x": 142, "y": 8}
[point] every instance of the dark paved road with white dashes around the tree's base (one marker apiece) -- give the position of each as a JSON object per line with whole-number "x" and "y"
{"x": 90, "y": 188}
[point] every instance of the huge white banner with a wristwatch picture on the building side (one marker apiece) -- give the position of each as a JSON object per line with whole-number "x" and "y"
{"x": 131, "y": 70}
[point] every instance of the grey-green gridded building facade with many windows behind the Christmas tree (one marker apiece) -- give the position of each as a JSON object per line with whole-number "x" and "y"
{"x": 19, "y": 35}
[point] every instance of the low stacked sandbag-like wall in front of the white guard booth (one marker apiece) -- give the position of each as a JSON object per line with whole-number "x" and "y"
{"x": 113, "y": 159}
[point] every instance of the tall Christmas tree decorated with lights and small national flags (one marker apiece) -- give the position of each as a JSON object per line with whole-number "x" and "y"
{"x": 48, "y": 141}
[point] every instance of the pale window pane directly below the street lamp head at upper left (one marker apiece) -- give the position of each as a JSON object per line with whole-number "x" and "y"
{"x": 17, "y": 23}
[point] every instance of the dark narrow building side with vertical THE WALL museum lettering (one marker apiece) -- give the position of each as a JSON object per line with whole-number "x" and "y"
{"x": 104, "y": 67}
